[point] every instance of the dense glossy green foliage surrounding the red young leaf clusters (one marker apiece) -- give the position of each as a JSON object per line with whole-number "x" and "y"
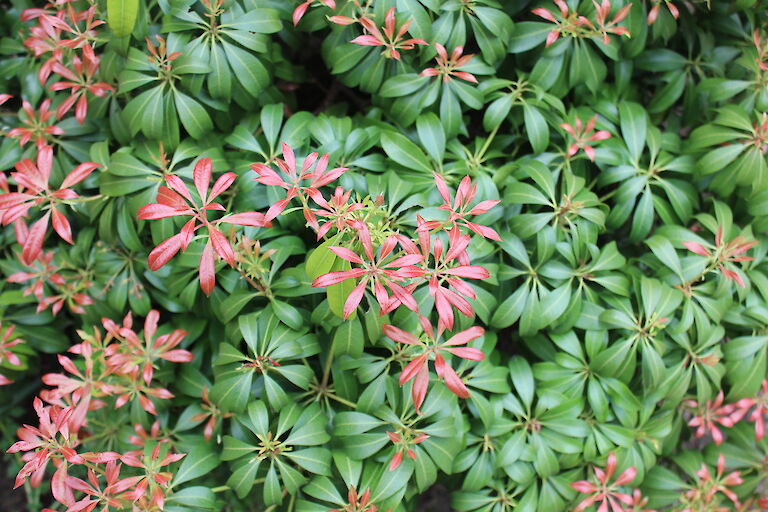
{"x": 605, "y": 333}
